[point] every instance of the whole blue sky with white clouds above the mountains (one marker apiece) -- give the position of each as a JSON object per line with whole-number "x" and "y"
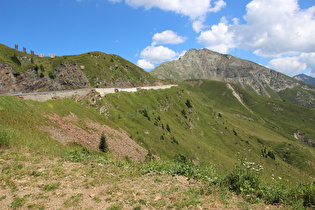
{"x": 279, "y": 34}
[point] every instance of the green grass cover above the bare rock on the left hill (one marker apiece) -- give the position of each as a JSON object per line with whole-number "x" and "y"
{"x": 100, "y": 68}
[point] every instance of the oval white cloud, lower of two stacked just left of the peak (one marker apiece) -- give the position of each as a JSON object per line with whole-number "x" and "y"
{"x": 157, "y": 54}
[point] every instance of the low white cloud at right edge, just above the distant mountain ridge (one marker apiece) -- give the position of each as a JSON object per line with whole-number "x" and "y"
{"x": 295, "y": 64}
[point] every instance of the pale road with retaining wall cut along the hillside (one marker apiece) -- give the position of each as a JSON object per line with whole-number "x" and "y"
{"x": 44, "y": 96}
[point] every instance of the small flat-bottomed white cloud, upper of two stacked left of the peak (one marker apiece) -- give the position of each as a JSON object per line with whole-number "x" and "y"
{"x": 167, "y": 37}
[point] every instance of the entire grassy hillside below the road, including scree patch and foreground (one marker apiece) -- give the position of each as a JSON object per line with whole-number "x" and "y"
{"x": 195, "y": 135}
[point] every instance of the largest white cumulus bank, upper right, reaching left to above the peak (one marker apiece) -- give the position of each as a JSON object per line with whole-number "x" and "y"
{"x": 273, "y": 28}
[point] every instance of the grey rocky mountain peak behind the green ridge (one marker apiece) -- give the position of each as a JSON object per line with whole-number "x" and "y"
{"x": 206, "y": 64}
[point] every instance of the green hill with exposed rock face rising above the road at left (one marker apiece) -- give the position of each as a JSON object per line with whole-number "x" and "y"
{"x": 22, "y": 72}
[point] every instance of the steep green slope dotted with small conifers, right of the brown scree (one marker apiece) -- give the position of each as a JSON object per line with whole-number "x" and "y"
{"x": 218, "y": 129}
